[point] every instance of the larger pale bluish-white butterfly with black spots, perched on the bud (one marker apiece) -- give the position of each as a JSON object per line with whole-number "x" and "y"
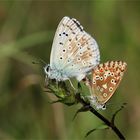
{"x": 74, "y": 52}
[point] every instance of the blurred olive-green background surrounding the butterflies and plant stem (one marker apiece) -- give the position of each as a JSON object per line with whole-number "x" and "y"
{"x": 26, "y": 33}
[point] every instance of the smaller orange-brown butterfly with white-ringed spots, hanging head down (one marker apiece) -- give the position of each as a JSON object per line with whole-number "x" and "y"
{"x": 106, "y": 78}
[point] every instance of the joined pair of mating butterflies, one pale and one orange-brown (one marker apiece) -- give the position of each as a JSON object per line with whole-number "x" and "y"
{"x": 75, "y": 53}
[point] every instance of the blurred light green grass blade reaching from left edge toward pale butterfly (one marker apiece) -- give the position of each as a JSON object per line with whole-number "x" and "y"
{"x": 10, "y": 49}
